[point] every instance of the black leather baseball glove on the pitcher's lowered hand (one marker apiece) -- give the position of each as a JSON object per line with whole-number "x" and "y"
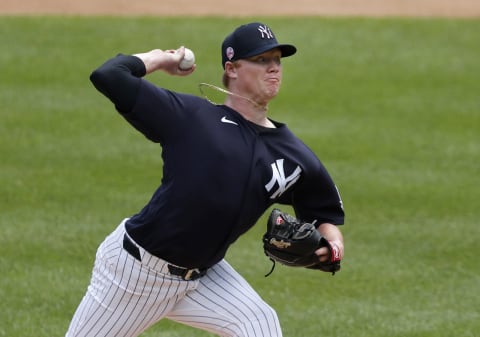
{"x": 293, "y": 243}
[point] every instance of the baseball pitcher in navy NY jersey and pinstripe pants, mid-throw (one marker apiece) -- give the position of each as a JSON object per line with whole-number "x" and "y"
{"x": 223, "y": 167}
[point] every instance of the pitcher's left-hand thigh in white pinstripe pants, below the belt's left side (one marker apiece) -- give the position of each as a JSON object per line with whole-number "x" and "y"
{"x": 124, "y": 297}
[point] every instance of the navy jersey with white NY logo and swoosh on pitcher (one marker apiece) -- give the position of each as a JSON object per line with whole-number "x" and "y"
{"x": 220, "y": 173}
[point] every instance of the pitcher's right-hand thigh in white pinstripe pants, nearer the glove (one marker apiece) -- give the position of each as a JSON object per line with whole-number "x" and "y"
{"x": 224, "y": 303}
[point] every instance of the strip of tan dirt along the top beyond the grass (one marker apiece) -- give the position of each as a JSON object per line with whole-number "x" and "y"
{"x": 229, "y": 8}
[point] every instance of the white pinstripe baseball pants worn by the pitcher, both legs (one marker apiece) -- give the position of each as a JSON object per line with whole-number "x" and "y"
{"x": 126, "y": 296}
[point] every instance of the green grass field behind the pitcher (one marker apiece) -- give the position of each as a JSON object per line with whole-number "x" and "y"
{"x": 391, "y": 106}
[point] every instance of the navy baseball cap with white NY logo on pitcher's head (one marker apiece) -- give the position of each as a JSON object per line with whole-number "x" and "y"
{"x": 252, "y": 39}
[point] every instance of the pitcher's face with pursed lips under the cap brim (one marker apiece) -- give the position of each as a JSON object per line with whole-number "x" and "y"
{"x": 261, "y": 75}
